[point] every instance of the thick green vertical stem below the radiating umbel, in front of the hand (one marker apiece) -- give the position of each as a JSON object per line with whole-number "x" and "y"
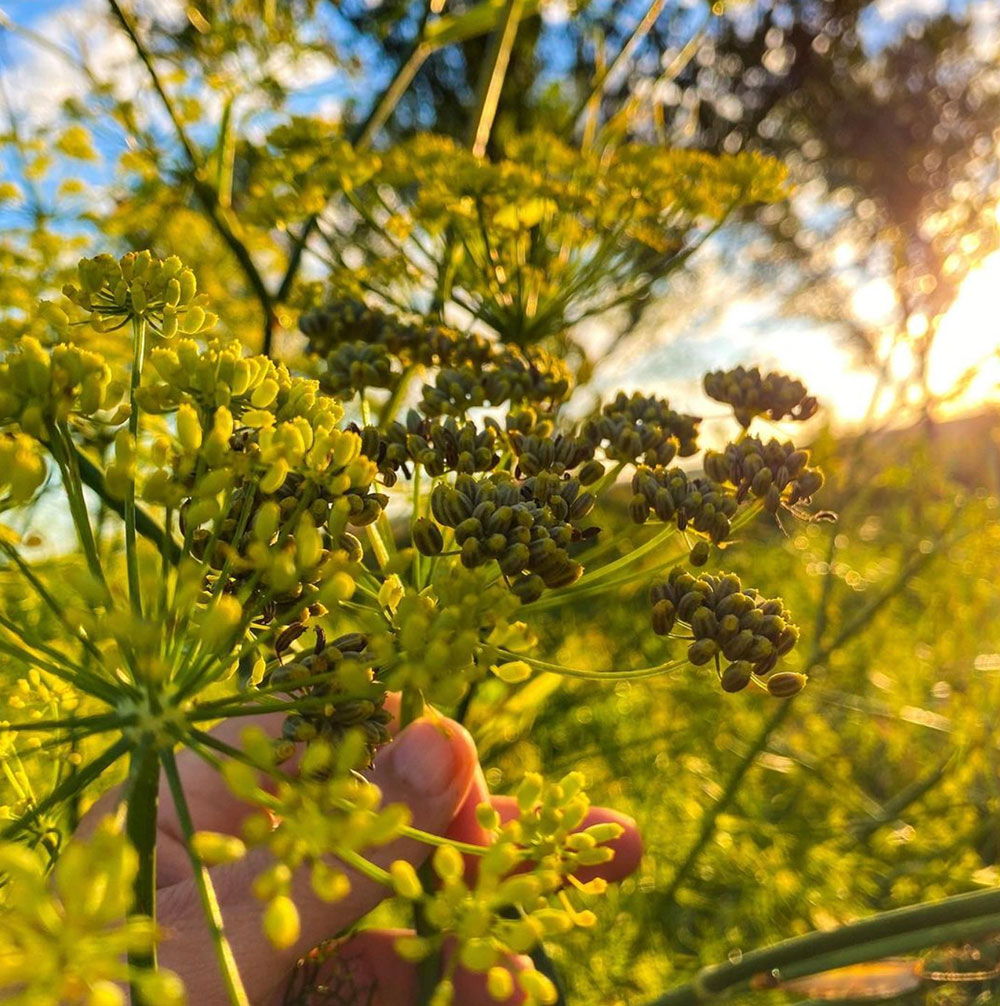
{"x": 143, "y": 790}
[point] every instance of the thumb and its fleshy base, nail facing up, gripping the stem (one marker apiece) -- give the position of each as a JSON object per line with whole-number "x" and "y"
{"x": 429, "y": 767}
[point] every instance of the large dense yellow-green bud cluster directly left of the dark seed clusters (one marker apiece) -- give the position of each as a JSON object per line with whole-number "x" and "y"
{"x": 265, "y": 482}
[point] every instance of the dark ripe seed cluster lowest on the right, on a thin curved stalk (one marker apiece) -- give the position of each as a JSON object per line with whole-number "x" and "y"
{"x": 732, "y": 623}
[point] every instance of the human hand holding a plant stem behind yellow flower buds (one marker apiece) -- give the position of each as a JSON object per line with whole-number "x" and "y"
{"x": 432, "y": 767}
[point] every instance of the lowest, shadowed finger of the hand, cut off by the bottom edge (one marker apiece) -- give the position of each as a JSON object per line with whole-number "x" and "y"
{"x": 367, "y": 969}
